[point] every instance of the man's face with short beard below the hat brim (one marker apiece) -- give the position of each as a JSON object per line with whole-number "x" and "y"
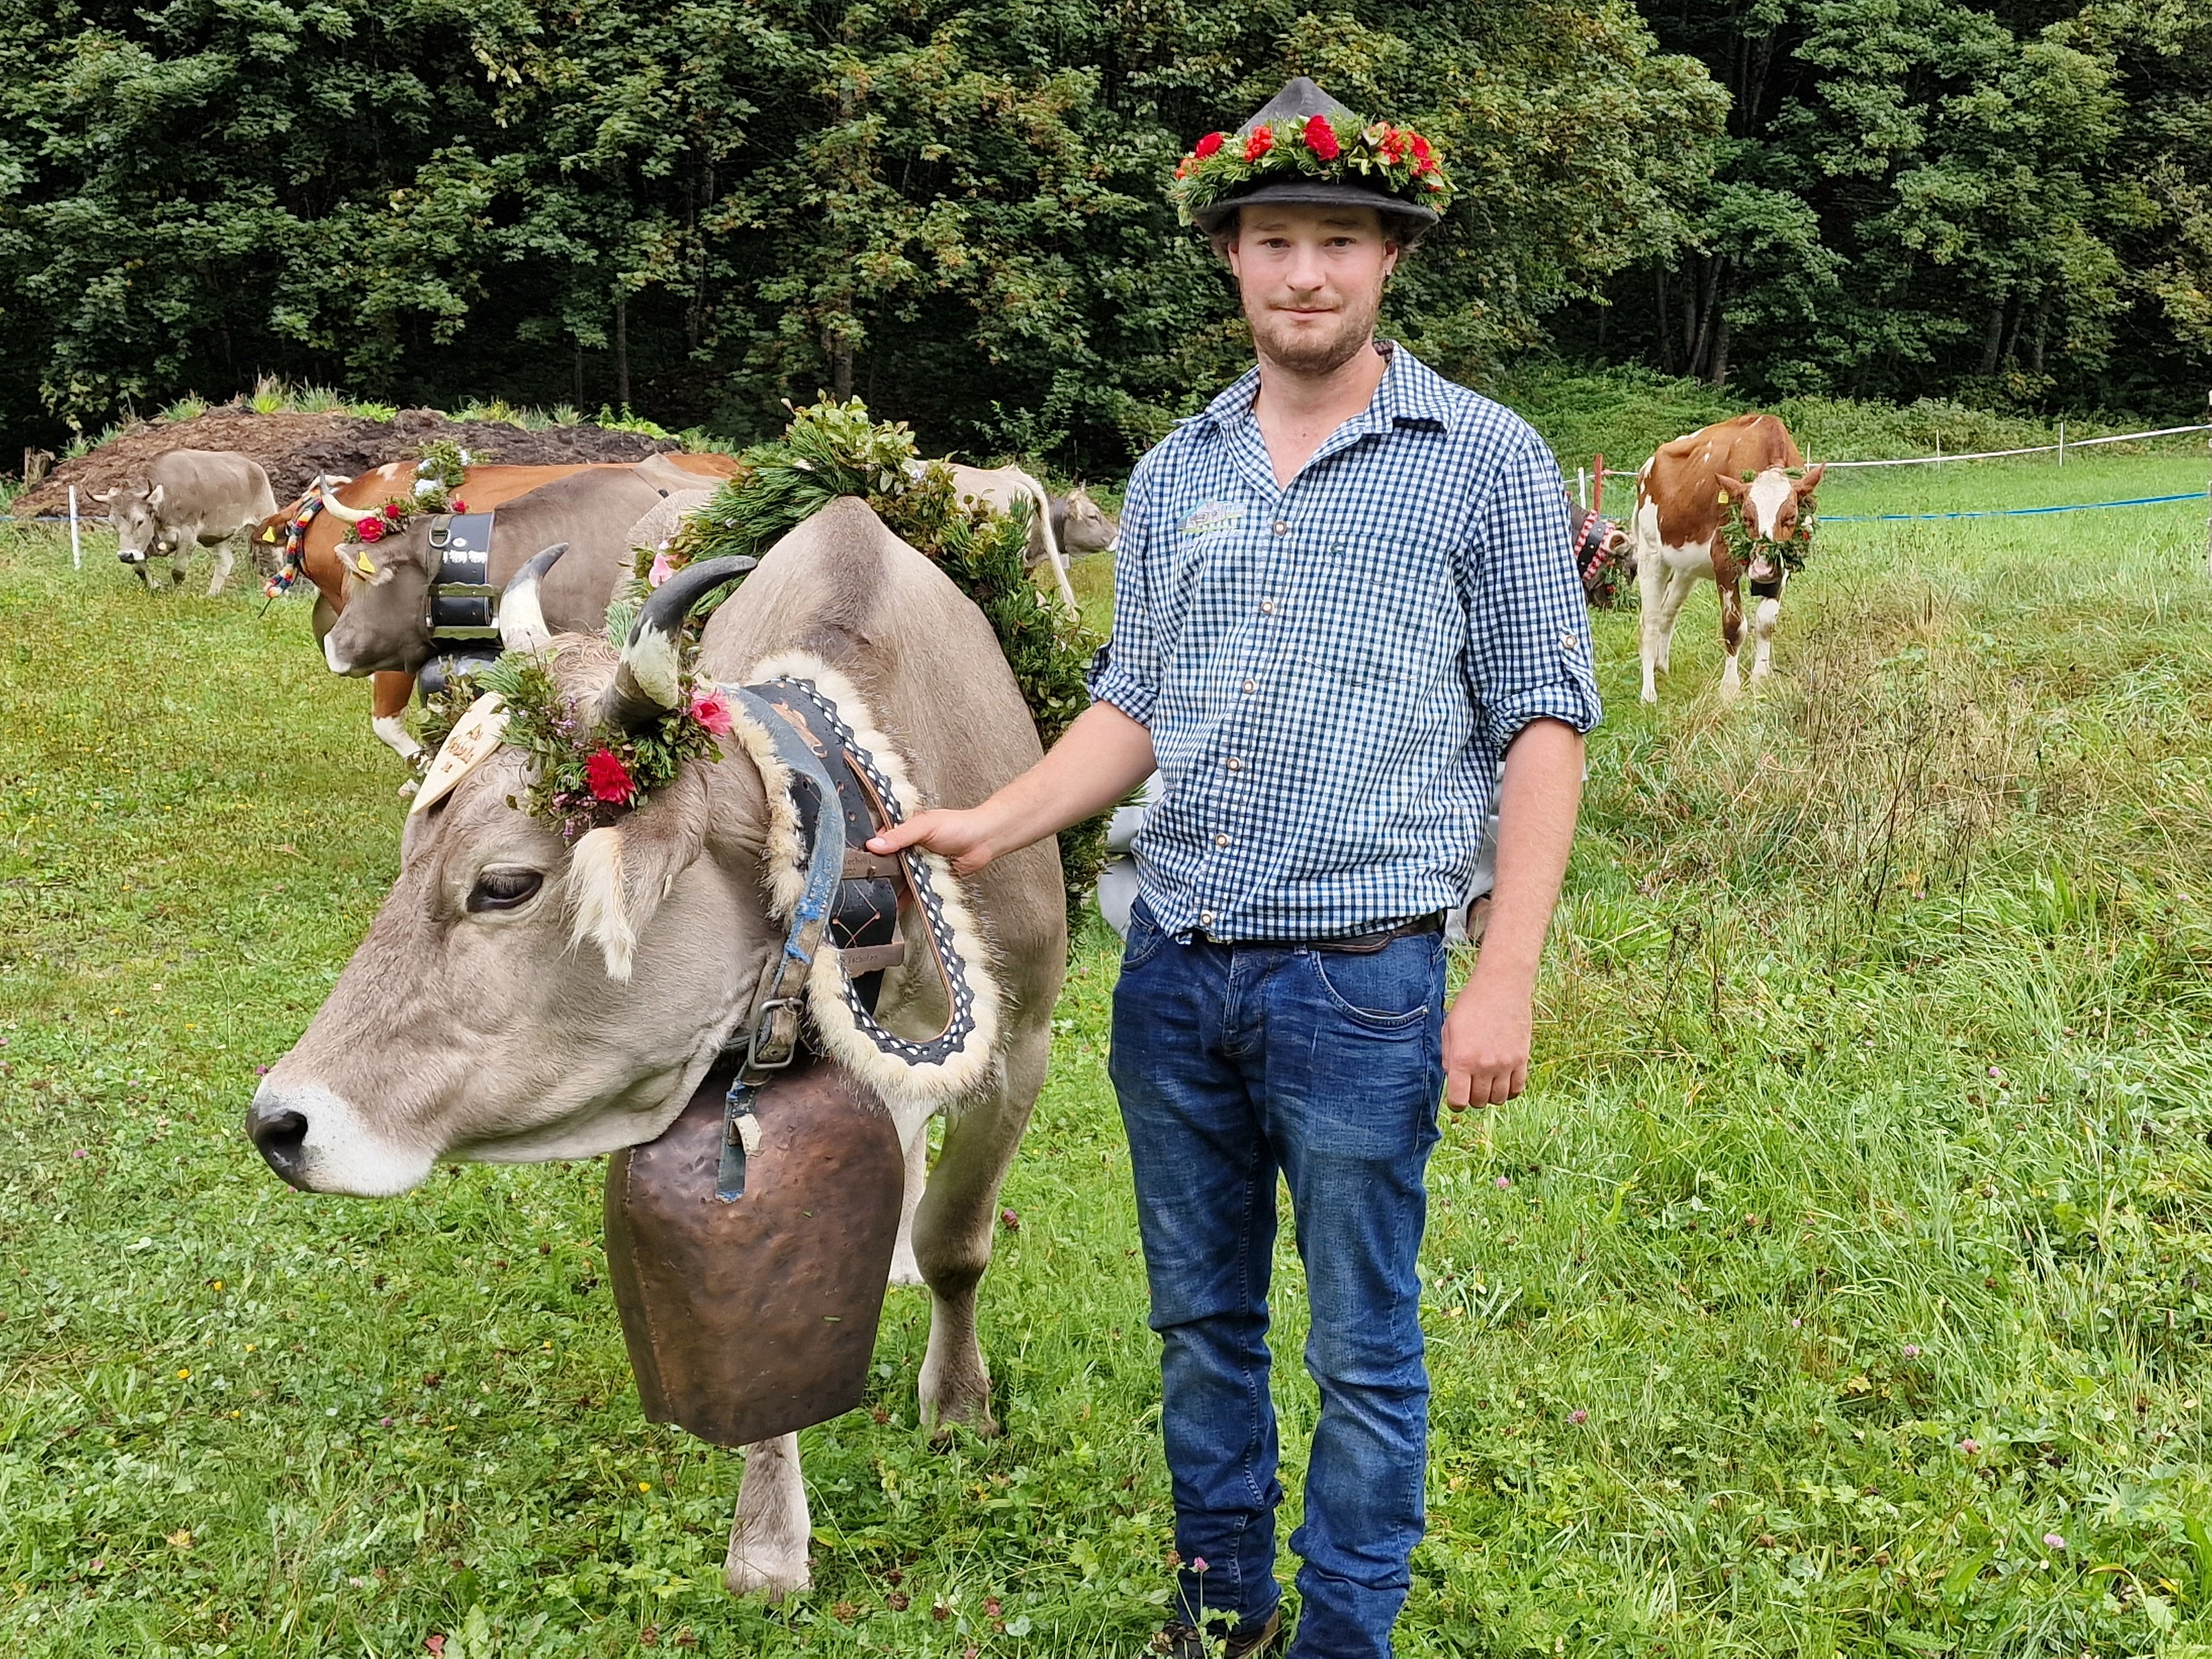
{"x": 1313, "y": 282}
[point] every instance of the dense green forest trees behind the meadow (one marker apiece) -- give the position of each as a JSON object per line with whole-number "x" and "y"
{"x": 954, "y": 207}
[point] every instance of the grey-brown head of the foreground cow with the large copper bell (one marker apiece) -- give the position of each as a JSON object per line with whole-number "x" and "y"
{"x": 521, "y": 999}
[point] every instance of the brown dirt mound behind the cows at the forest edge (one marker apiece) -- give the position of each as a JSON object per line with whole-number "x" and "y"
{"x": 295, "y": 448}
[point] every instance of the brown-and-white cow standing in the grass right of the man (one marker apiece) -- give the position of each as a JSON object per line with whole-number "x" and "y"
{"x": 1682, "y": 499}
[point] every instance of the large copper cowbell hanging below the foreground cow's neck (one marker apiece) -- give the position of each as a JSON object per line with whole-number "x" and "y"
{"x": 758, "y": 1317}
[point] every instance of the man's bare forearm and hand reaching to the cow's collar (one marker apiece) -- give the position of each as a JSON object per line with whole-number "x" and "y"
{"x": 1094, "y": 766}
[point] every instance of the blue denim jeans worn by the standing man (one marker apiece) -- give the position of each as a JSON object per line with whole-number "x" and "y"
{"x": 1238, "y": 1063}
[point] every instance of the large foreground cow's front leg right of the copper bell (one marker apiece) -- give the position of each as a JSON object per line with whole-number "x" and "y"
{"x": 952, "y": 1233}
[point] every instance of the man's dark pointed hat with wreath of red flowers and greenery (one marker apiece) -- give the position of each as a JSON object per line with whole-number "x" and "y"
{"x": 1306, "y": 149}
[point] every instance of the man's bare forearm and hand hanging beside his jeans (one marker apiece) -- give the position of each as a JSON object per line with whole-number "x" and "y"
{"x": 1492, "y": 1023}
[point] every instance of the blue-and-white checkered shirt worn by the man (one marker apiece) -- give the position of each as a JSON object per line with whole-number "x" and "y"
{"x": 1333, "y": 671}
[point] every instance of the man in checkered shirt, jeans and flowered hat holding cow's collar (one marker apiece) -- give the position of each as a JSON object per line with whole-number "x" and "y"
{"x": 1342, "y": 594}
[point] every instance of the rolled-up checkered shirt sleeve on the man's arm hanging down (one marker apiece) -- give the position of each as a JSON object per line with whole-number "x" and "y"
{"x": 1530, "y": 627}
